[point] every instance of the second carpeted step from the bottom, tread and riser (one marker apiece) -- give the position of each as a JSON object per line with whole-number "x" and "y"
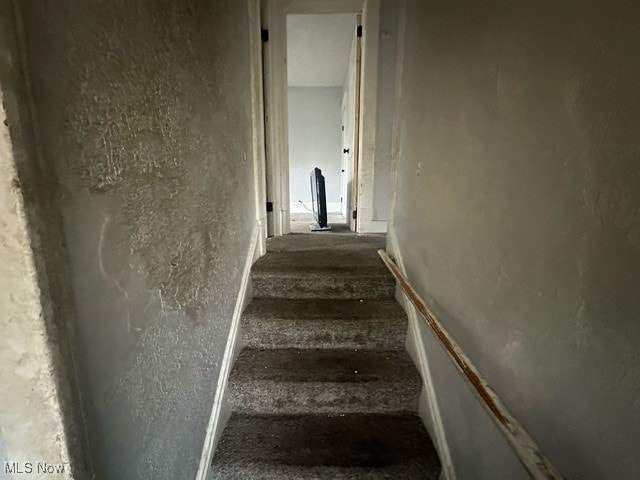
{"x": 322, "y": 381}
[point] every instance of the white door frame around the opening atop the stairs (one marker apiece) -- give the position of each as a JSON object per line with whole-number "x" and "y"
{"x": 274, "y": 18}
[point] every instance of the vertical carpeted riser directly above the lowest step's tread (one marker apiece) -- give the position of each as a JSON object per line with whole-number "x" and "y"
{"x": 324, "y": 398}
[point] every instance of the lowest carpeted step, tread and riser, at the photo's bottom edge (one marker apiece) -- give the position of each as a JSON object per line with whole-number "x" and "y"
{"x": 354, "y": 447}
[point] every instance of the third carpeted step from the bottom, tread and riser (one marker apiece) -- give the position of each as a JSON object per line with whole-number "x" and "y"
{"x": 319, "y": 323}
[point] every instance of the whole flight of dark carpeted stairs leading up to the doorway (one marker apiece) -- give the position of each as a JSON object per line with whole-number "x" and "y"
{"x": 323, "y": 388}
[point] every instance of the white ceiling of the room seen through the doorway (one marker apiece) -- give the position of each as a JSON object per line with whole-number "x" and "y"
{"x": 318, "y": 48}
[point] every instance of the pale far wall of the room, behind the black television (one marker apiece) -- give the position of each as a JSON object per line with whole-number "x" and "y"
{"x": 315, "y": 140}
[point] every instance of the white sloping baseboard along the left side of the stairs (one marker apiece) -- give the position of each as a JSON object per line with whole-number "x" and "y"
{"x": 220, "y": 414}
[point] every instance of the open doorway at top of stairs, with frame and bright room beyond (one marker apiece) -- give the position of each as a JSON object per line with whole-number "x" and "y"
{"x": 312, "y": 46}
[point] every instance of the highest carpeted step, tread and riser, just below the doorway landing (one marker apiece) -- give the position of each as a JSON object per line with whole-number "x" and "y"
{"x": 339, "y": 274}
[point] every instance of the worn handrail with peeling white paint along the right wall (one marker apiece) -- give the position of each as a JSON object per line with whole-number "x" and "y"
{"x": 526, "y": 449}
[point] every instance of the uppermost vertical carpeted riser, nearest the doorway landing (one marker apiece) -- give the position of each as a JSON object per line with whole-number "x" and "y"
{"x": 329, "y": 287}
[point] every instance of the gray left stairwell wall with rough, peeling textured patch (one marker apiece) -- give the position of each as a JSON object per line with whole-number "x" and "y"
{"x": 143, "y": 110}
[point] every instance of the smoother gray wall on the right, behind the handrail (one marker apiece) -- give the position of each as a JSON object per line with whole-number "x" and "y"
{"x": 518, "y": 216}
